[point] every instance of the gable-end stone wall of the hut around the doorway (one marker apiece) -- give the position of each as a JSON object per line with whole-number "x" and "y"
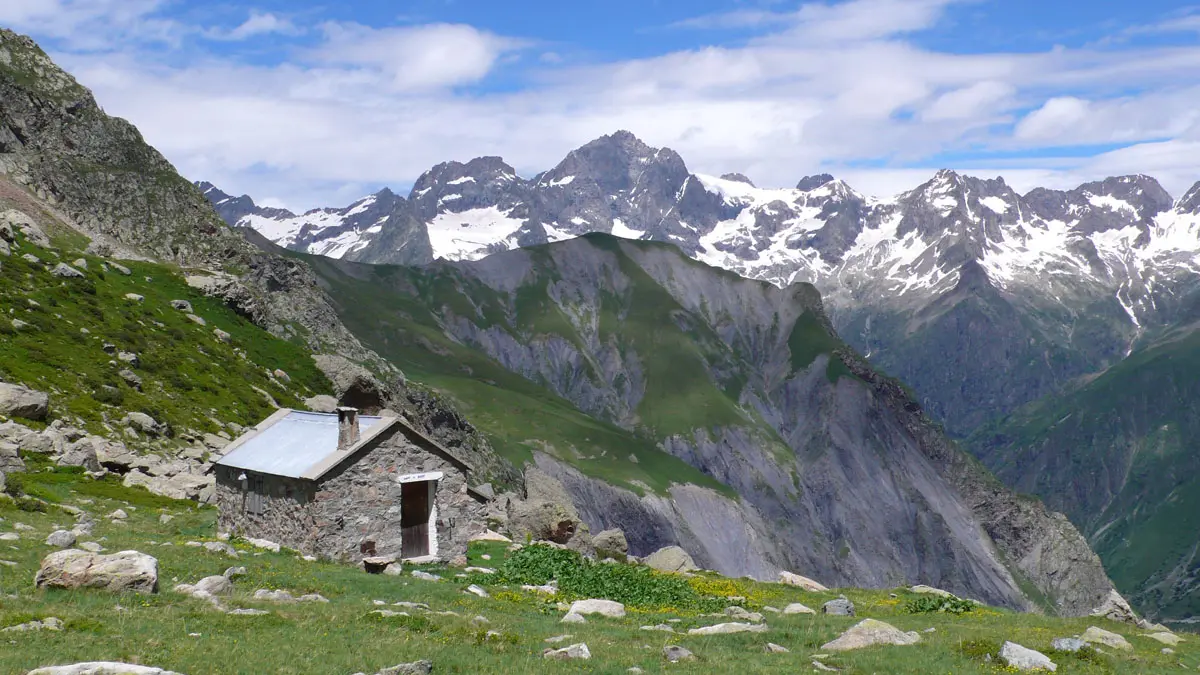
{"x": 361, "y": 501}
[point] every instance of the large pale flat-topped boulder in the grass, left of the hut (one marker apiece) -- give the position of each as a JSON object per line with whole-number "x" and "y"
{"x": 125, "y": 571}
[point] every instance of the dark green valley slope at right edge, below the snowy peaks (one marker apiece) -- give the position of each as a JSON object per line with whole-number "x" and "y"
{"x": 1137, "y": 421}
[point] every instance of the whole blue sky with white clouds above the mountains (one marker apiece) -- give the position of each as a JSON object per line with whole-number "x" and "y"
{"x": 314, "y": 104}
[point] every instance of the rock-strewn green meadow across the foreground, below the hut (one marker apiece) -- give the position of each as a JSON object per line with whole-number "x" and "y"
{"x": 171, "y": 631}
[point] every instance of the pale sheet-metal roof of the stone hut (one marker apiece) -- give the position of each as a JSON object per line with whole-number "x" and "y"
{"x": 292, "y": 445}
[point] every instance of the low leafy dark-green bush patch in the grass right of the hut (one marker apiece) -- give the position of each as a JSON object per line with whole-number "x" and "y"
{"x": 581, "y": 578}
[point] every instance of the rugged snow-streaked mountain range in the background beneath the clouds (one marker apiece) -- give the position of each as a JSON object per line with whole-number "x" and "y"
{"x": 1000, "y": 310}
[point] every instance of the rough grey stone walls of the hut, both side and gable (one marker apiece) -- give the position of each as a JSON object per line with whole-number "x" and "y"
{"x": 357, "y": 503}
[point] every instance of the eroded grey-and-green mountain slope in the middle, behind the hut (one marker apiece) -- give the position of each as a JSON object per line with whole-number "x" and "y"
{"x": 625, "y": 359}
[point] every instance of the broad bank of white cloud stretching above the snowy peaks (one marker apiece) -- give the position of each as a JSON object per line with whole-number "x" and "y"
{"x": 830, "y": 88}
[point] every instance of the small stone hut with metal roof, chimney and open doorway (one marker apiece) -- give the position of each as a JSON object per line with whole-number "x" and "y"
{"x": 347, "y": 487}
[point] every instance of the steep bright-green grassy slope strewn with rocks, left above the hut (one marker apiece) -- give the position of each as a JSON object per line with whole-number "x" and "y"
{"x": 188, "y": 374}
